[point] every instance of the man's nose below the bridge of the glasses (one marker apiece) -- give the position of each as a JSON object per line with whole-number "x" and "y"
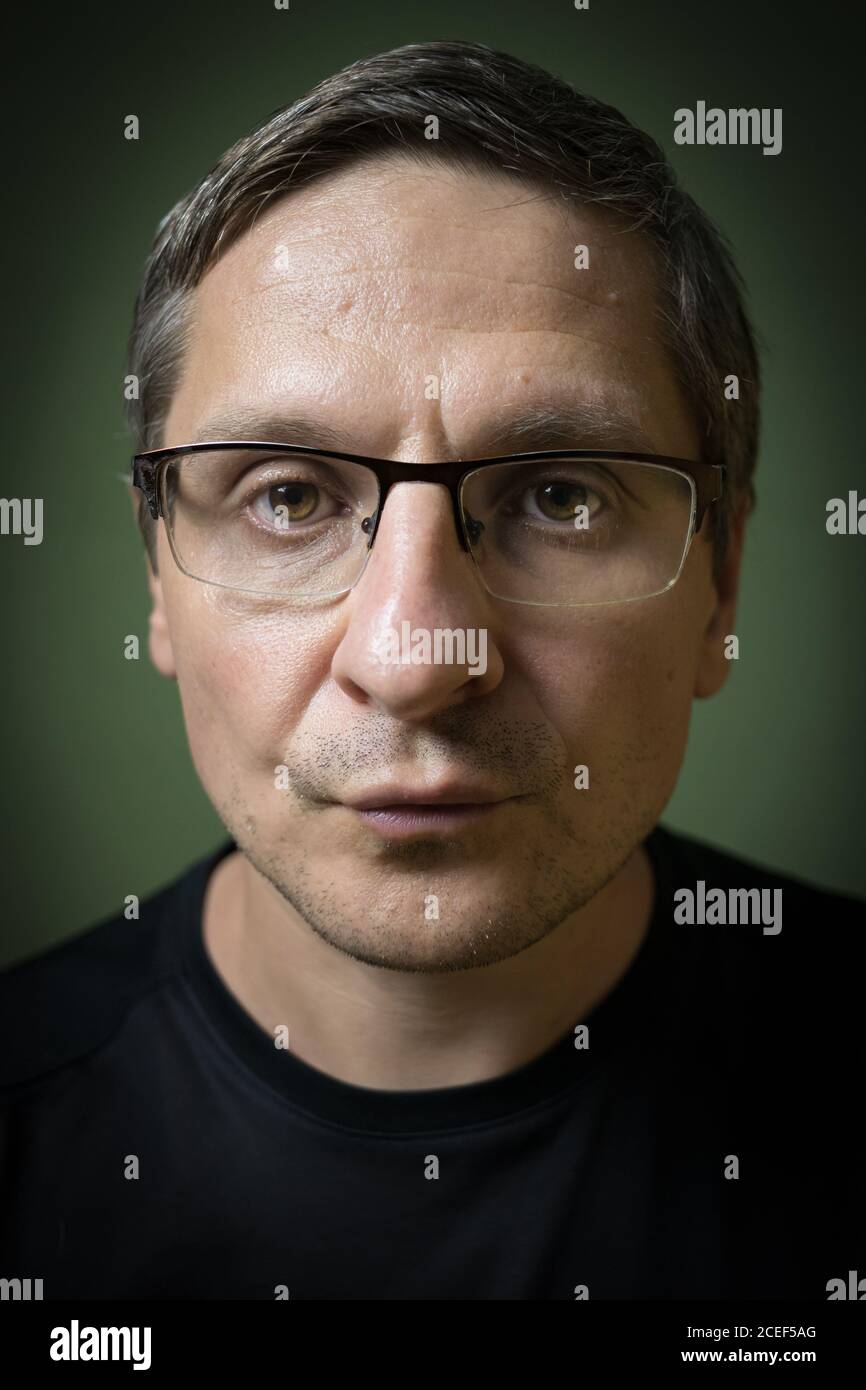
{"x": 418, "y": 635}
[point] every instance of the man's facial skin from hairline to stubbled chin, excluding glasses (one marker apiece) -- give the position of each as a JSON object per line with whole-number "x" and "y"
{"x": 340, "y": 306}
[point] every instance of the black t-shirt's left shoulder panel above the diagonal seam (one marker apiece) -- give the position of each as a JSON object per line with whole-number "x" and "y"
{"x": 62, "y": 1006}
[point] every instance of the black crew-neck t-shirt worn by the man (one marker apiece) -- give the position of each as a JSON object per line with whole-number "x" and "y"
{"x": 705, "y": 1145}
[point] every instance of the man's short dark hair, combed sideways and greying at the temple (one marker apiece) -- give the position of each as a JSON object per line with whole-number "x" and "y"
{"x": 497, "y": 115}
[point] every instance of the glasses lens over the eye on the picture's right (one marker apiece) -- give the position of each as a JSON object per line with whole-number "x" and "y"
{"x": 576, "y": 532}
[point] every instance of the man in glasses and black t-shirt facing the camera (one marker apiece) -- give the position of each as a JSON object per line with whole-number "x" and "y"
{"x": 450, "y": 1015}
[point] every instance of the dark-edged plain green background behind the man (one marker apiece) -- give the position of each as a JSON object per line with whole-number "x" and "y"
{"x": 101, "y": 799}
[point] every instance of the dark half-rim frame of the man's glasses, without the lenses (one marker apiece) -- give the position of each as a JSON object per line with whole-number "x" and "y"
{"x": 707, "y": 484}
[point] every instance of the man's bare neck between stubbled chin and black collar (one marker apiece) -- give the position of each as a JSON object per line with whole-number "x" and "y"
{"x": 412, "y": 1031}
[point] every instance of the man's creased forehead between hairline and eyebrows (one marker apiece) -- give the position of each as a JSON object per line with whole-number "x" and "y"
{"x": 418, "y": 300}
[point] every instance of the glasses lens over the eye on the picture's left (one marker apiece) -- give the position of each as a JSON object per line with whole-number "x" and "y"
{"x": 268, "y": 522}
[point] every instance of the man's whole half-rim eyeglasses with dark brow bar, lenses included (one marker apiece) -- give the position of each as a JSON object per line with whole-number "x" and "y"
{"x": 564, "y": 529}
